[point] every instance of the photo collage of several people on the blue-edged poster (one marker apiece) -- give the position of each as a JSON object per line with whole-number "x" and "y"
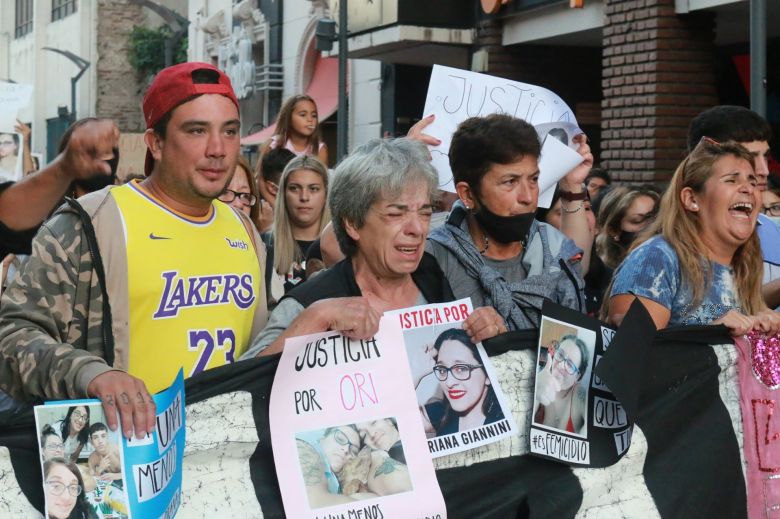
{"x": 81, "y": 462}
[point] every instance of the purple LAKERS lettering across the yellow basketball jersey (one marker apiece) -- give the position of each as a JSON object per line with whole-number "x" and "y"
{"x": 195, "y": 291}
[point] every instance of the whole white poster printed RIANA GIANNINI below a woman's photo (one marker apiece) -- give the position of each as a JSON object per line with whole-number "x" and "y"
{"x": 460, "y": 402}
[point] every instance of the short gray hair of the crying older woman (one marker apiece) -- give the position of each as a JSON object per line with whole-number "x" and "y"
{"x": 380, "y": 168}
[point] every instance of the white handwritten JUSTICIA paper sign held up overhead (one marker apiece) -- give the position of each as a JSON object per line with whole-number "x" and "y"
{"x": 454, "y": 95}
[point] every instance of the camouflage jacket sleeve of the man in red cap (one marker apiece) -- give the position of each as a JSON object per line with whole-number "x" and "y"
{"x": 46, "y": 317}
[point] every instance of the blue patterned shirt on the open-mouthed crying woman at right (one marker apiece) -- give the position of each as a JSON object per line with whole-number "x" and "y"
{"x": 652, "y": 271}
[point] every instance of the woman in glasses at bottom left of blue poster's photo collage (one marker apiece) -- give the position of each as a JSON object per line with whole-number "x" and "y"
{"x": 64, "y": 491}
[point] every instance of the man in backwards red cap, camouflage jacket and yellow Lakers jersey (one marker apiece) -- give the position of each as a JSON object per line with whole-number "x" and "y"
{"x": 167, "y": 278}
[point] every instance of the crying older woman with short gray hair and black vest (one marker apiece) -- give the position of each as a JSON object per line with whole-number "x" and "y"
{"x": 381, "y": 201}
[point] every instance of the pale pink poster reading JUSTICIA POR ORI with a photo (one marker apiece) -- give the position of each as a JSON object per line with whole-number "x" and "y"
{"x": 346, "y": 430}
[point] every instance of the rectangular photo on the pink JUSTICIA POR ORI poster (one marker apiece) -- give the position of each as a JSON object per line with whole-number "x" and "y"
{"x": 355, "y": 461}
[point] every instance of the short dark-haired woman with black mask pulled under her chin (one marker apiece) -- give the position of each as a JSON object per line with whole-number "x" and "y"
{"x": 491, "y": 248}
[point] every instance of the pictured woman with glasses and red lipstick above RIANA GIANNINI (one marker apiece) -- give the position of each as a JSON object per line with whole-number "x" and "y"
{"x": 469, "y": 398}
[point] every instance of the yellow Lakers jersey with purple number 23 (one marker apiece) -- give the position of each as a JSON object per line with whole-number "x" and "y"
{"x": 193, "y": 284}
